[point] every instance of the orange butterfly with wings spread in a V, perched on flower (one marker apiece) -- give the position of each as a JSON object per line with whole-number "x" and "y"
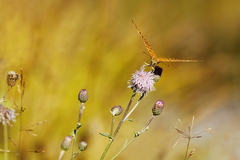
{"x": 154, "y": 59}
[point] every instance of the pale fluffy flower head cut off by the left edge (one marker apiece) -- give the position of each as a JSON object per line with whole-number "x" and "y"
{"x": 7, "y": 115}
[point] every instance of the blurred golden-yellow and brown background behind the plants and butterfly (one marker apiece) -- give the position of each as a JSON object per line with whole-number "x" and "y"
{"x": 64, "y": 46}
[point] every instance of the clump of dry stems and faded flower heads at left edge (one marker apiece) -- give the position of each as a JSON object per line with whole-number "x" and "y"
{"x": 8, "y": 115}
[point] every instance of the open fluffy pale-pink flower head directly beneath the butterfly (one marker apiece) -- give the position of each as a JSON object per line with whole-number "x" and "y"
{"x": 142, "y": 82}
